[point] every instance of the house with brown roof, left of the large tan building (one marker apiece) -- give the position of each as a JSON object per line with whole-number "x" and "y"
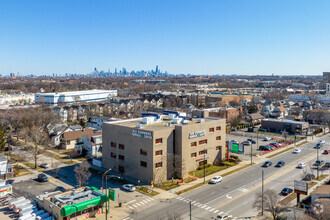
{"x": 70, "y": 139}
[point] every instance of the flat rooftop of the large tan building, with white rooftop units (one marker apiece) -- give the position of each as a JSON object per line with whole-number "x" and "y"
{"x": 164, "y": 123}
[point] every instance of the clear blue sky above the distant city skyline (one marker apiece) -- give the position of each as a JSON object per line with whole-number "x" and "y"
{"x": 181, "y": 36}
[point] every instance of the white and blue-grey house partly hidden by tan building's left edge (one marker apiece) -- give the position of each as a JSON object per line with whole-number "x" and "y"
{"x": 90, "y": 145}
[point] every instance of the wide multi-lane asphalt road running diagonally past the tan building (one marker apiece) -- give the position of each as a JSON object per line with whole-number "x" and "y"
{"x": 236, "y": 193}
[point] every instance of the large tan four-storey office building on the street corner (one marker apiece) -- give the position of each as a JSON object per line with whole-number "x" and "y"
{"x": 158, "y": 147}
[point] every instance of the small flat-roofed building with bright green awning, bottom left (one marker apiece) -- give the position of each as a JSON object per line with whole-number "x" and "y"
{"x": 79, "y": 203}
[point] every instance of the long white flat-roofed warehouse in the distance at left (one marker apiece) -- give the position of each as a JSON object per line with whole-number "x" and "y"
{"x": 73, "y": 97}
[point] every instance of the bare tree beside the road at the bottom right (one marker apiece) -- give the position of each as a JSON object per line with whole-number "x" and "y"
{"x": 271, "y": 200}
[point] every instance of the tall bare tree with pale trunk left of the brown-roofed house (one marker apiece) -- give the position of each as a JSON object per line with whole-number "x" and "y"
{"x": 36, "y": 137}
